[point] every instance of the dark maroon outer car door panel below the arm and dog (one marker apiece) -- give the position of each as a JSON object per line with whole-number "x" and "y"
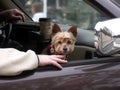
{"x": 101, "y": 75}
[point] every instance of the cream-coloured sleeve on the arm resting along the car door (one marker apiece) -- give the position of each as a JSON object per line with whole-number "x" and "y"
{"x": 14, "y": 62}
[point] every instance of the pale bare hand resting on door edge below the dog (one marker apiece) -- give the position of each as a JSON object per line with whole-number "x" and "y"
{"x": 51, "y": 60}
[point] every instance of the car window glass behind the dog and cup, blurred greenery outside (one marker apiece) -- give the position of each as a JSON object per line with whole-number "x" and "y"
{"x": 71, "y": 12}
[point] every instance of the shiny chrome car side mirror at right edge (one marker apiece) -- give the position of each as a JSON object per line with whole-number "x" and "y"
{"x": 107, "y": 39}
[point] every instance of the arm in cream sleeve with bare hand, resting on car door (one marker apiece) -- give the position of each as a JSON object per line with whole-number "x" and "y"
{"x": 14, "y": 62}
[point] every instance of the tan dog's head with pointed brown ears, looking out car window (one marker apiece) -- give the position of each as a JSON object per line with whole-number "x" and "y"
{"x": 63, "y": 42}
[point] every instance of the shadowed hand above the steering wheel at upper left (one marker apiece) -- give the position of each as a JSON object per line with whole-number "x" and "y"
{"x": 13, "y": 15}
